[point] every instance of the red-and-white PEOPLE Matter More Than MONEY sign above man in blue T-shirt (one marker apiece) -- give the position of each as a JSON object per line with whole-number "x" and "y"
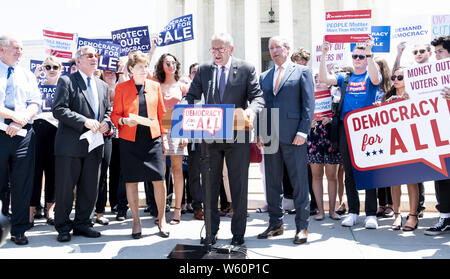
{"x": 348, "y": 26}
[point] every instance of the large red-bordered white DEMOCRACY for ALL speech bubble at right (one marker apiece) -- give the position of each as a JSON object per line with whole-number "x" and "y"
{"x": 400, "y": 133}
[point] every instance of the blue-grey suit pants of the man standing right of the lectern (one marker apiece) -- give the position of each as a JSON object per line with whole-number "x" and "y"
{"x": 294, "y": 157}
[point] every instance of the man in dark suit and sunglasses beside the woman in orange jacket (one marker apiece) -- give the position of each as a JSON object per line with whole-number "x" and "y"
{"x": 81, "y": 104}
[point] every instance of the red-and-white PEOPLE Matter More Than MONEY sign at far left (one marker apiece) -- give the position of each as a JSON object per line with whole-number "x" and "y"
{"x": 60, "y": 44}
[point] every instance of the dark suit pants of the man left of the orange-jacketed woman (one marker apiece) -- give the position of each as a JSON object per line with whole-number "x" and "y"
{"x": 84, "y": 172}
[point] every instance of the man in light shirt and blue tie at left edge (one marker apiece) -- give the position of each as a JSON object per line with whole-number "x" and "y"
{"x": 20, "y": 99}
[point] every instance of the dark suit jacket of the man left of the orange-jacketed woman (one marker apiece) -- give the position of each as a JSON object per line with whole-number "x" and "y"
{"x": 72, "y": 107}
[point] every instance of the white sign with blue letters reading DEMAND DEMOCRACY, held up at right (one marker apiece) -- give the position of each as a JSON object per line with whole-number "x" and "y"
{"x": 411, "y": 29}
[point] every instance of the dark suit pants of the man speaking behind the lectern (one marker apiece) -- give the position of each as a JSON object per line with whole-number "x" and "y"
{"x": 237, "y": 157}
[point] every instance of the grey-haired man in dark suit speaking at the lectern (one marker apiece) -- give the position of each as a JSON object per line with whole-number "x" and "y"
{"x": 236, "y": 84}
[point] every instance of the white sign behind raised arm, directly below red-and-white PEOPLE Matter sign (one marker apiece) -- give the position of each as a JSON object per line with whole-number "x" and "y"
{"x": 337, "y": 56}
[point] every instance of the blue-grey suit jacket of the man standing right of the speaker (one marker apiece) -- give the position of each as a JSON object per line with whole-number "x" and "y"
{"x": 295, "y": 101}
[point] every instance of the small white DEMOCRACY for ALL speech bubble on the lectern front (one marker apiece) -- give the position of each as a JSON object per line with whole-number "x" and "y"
{"x": 202, "y": 119}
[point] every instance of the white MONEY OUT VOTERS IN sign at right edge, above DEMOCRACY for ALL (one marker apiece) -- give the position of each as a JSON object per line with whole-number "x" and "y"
{"x": 426, "y": 78}
